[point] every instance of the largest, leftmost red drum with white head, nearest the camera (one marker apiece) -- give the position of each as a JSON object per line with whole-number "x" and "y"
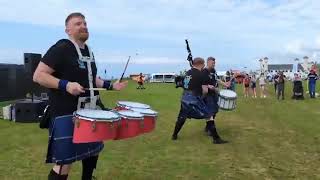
{"x": 94, "y": 125}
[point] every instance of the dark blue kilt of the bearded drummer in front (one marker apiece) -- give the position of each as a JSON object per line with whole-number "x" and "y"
{"x": 61, "y": 149}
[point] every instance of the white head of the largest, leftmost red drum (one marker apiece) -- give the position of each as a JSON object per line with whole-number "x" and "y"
{"x": 98, "y": 115}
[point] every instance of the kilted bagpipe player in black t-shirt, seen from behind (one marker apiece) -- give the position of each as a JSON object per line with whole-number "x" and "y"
{"x": 194, "y": 102}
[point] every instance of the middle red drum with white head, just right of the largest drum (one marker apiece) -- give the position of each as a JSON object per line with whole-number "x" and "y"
{"x": 131, "y": 124}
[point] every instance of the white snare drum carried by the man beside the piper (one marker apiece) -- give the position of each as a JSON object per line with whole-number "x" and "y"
{"x": 227, "y": 99}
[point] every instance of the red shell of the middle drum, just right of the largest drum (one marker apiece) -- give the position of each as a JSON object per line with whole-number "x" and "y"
{"x": 129, "y": 127}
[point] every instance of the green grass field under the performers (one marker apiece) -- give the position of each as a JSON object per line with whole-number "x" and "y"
{"x": 269, "y": 139}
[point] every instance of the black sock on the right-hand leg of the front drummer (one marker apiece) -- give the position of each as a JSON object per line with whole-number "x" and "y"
{"x": 88, "y": 165}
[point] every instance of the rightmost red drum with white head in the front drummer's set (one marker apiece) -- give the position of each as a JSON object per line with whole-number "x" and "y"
{"x": 149, "y": 119}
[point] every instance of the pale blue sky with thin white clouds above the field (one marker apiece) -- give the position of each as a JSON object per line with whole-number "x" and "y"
{"x": 236, "y": 32}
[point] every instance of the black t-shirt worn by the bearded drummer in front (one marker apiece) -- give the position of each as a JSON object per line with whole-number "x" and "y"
{"x": 63, "y": 58}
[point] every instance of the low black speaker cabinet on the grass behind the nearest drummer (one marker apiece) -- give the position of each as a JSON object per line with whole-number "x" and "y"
{"x": 28, "y": 111}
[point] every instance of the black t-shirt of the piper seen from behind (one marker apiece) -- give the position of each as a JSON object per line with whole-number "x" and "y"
{"x": 194, "y": 81}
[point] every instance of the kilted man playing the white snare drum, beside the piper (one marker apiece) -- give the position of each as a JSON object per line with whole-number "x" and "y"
{"x": 211, "y": 100}
